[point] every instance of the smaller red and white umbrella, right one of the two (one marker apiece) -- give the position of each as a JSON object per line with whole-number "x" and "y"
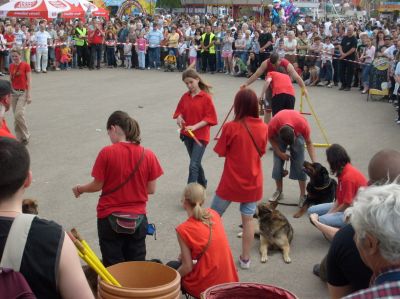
{"x": 82, "y": 8}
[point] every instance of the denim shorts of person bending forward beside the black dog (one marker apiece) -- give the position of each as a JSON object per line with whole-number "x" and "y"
{"x": 296, "y": 161}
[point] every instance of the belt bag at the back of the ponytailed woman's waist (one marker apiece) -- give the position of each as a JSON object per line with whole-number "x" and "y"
{"x": 125, "y": 223}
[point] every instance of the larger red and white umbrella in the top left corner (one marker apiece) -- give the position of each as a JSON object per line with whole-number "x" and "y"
{"x": 47, "y": 9}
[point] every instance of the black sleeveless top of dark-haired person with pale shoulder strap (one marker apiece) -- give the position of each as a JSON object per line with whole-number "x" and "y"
{"x": 41, "y": 256}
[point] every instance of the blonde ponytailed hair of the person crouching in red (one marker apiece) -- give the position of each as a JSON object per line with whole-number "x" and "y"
{"x": 195, "y": 195}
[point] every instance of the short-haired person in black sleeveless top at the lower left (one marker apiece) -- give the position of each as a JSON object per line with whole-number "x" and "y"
{"x": 50, "y": 262}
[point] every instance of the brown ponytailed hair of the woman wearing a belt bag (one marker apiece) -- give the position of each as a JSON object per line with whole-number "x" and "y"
{"x": 128, "y": 125}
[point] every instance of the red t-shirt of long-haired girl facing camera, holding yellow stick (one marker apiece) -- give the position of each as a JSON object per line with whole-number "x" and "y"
{"x": 195, "y": 109}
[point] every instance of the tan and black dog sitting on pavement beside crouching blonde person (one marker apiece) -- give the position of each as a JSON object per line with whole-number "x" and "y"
{"x": 275, "y": 232}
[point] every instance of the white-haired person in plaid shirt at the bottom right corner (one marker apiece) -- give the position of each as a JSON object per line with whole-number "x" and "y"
{"x": 375, "y": 218}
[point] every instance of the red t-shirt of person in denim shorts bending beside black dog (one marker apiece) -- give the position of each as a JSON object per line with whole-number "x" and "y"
{"x": 291, "y": 118}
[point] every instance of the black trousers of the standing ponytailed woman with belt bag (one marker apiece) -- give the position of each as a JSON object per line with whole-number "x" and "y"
{"x": 117, "y": 248}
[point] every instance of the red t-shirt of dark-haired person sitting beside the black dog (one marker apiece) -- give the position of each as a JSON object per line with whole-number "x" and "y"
{"x": 349, "y": 181}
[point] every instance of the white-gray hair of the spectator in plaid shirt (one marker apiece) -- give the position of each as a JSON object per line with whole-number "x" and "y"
{"x": 376, "y": 211}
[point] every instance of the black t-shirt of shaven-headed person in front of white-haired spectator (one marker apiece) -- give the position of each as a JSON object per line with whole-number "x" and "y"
{"x": 344, "y": 264}
